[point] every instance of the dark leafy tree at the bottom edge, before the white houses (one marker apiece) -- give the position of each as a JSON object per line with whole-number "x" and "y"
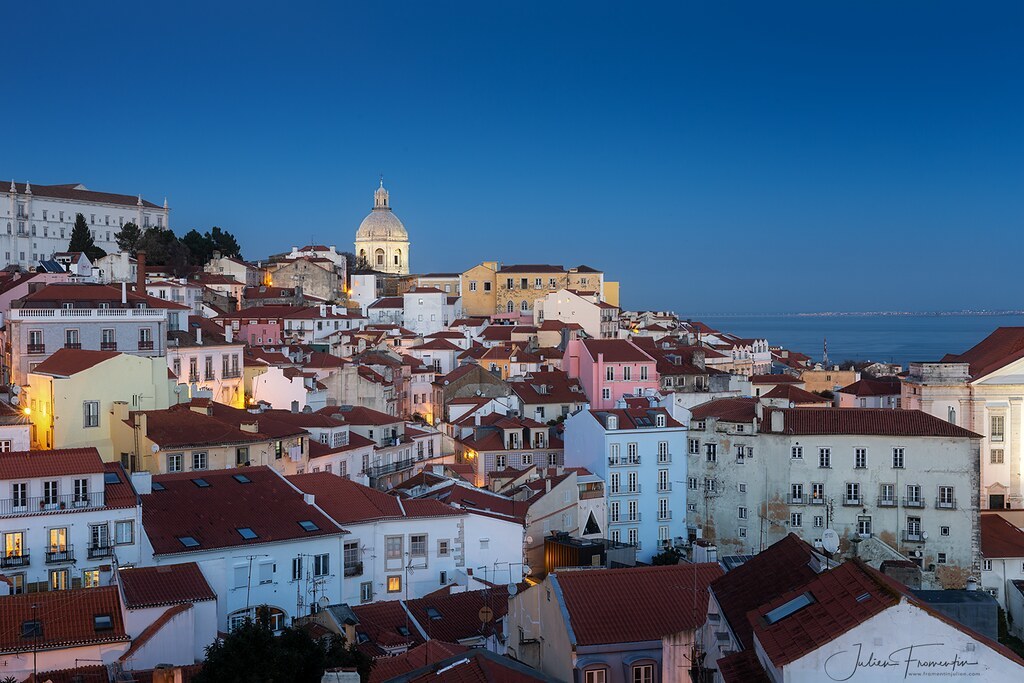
{"x": 252, "y": 653}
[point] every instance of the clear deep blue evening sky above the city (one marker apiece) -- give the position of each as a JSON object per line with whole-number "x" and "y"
{"x": 711, "y": 156}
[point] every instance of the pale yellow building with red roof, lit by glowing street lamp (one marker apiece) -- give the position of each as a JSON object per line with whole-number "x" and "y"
{"x": 73, "y": 395}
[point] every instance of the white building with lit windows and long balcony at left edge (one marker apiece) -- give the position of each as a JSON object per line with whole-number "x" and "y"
{"x": 66, "y": 519}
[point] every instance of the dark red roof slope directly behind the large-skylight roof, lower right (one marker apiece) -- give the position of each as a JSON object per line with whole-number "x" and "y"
{"x": 781, "y": 568}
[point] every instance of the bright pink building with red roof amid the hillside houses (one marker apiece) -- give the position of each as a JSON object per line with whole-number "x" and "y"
{"x": 611, "y": 369}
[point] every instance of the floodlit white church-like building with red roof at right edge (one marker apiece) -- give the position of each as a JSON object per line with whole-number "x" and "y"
{"x": 984, "y": 391}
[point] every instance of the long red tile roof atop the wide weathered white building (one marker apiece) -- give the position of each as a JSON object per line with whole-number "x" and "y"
{"x": 877, "y": 421}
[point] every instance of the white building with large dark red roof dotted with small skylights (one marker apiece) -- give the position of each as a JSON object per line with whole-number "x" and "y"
{"x": 286, "y": 562}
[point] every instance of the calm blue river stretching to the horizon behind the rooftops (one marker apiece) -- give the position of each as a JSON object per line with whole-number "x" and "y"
{"x": 886, "y": 338}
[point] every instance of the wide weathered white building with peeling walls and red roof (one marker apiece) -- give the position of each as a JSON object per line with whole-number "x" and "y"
{"x": 757, "y": 475}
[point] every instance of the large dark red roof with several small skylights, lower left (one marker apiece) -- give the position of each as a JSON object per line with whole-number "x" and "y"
{"x": 212, "y": 516}
